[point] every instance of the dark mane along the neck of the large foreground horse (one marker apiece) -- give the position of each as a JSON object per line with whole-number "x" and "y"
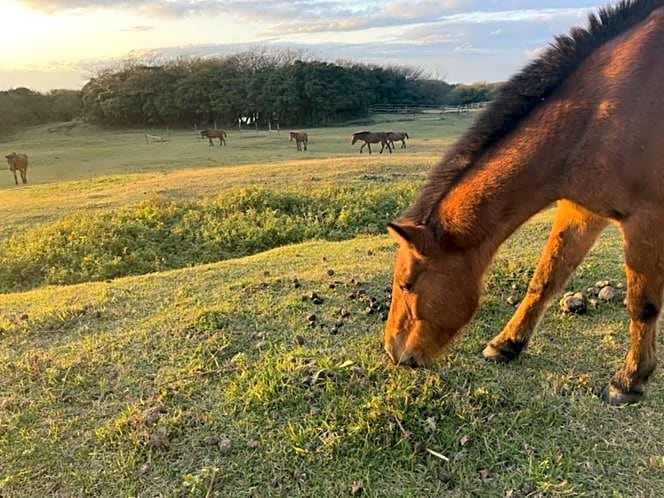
{"x": 519, "y": 96}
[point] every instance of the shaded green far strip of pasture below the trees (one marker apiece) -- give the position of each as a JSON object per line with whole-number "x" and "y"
{"x": 89, "y": 151}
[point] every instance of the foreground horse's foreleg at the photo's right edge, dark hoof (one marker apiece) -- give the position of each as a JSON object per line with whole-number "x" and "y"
{"x": 644, "y": 265}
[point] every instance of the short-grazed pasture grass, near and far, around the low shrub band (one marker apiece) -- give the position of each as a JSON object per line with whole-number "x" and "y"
{"x": 211, "y": 380}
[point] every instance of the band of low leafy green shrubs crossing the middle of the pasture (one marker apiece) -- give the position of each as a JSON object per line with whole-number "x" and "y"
{"x": 162, "y": 234}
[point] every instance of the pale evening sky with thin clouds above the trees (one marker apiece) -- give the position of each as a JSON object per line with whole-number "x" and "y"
{"x": 50, "y": 44}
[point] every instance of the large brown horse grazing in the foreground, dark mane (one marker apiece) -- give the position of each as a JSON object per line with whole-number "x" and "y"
{"x": 581, "y": 125}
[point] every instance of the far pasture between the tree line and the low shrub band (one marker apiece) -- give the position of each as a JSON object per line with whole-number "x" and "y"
{"x": 98, "y": 169}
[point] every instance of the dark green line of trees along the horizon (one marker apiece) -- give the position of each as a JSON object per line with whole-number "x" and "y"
{"x": 251, "y": 87}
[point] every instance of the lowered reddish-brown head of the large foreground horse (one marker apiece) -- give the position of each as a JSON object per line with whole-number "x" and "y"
{"x": 435, "y": 290}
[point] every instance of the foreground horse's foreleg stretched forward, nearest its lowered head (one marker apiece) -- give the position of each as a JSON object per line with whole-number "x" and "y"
{"x": 573, "y": 233}
